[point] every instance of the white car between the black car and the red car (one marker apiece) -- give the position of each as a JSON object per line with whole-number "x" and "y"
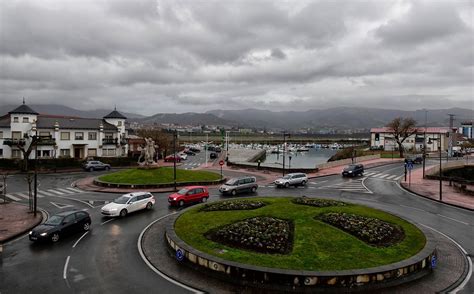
{"x": 129, "y": 203}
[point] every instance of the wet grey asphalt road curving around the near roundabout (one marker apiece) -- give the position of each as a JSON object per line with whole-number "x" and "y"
{"x": 106, "y": 260}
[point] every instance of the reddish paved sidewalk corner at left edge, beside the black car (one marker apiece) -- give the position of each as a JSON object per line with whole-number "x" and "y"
{"x": 15, "y": 219}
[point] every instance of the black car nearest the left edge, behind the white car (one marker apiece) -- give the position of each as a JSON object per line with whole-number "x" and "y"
{"x": 60, "y": 225}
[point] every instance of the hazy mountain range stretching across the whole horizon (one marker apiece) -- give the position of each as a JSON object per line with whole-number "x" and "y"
{"x": 334, "y": 118}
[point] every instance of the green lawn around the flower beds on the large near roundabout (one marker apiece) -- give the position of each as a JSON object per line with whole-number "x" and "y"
{"x": 317, "y": 246}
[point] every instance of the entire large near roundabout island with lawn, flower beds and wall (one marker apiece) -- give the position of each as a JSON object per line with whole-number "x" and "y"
{"x": 286, "y": 242}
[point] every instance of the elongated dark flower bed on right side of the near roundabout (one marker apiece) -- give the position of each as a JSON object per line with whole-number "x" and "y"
{"x": 370, "y": 230}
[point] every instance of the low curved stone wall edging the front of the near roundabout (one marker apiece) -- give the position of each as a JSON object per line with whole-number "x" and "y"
{"x": 397, "y": 273}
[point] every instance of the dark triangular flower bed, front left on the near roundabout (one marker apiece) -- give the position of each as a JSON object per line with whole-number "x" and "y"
{"x": 262, "y": 234}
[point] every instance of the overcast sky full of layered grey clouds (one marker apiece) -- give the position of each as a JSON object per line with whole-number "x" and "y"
{"x": 150, "y": 56}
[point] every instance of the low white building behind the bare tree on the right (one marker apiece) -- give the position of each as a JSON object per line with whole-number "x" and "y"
{"x": 435, "y": 136}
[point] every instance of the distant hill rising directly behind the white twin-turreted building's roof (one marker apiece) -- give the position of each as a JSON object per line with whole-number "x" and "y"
{"x": 56, "y": 109}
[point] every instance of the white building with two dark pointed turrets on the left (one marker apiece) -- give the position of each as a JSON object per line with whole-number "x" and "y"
{"x": 62, "y": 136}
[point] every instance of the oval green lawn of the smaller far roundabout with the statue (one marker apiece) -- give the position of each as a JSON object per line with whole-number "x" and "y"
{"x": 160, "y": 175}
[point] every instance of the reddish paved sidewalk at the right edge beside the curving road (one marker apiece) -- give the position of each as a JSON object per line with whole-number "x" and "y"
{"x": 430, "y": 189}
